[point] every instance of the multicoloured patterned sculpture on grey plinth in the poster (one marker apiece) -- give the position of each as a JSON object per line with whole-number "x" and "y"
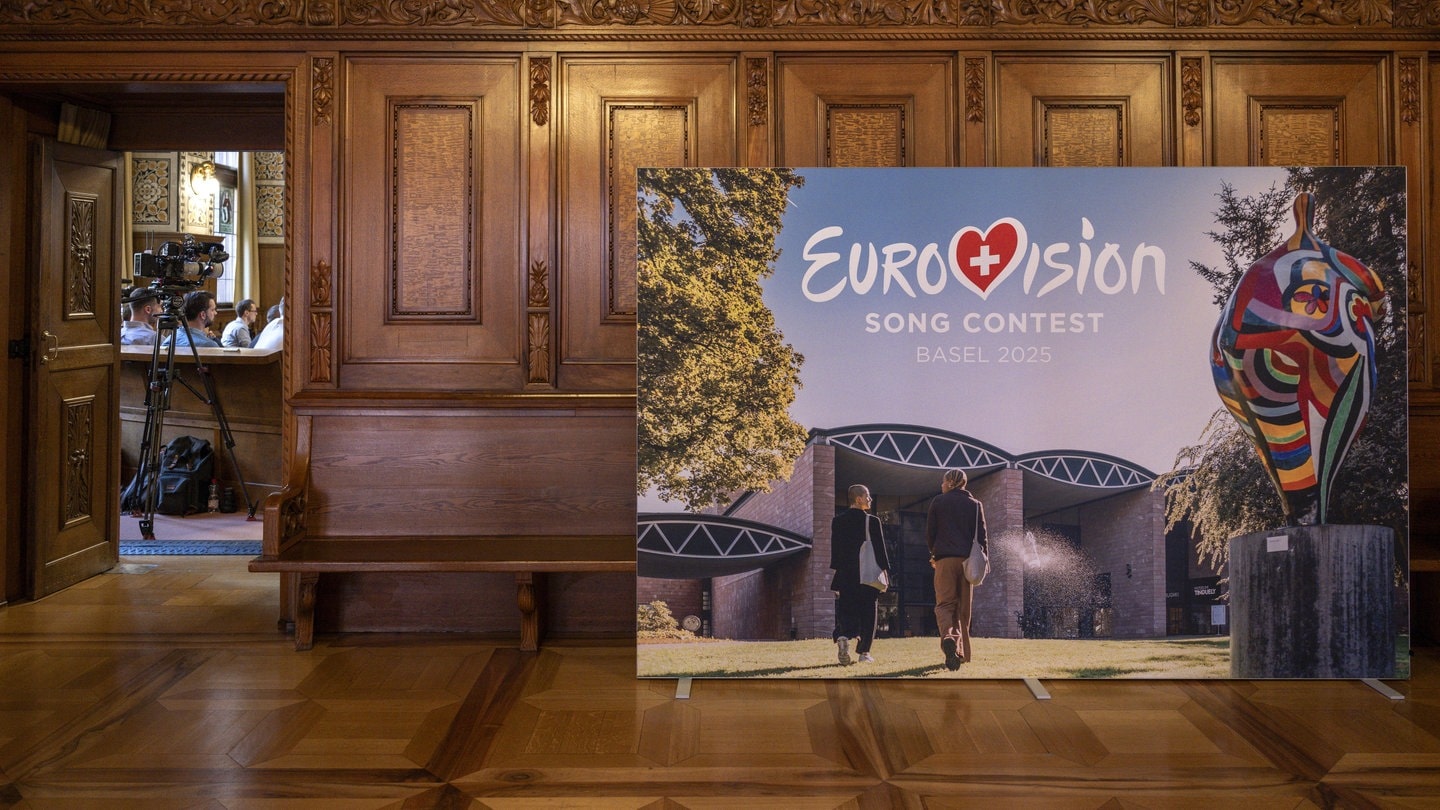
{"x": 1294, "y": 360}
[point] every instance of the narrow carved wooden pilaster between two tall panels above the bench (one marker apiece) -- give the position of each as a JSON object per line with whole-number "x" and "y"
{"x": 541, "y": 223}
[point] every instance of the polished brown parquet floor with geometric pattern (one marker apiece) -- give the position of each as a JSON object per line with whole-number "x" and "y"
{"x": 166, "y": 687}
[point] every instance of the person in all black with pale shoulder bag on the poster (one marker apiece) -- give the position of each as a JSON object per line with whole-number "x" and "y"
{"x": 856, "y": 613}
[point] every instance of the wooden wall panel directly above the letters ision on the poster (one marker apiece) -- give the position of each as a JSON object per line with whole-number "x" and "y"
{"x": 1084, "y": 112}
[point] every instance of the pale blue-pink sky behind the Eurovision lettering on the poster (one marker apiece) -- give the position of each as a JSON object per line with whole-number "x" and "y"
{"x": 1137, "y": 386}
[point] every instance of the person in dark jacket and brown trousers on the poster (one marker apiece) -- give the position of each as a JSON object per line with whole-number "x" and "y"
{"x": 954, "y": 525}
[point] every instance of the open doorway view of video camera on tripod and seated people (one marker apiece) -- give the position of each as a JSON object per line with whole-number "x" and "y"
{"x": 201, "y": 423}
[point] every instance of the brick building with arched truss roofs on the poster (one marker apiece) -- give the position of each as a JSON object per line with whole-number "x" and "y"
{"x": 1078, "y": 544}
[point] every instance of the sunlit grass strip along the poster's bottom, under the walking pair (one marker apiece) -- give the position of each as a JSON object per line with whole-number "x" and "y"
{"x": 921, "y": 658}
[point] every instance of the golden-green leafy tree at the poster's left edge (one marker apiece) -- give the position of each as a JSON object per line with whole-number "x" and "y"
{"x": 718, "y": 375}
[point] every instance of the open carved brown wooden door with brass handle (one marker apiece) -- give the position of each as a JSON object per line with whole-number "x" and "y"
{"x": 73, "y": 456}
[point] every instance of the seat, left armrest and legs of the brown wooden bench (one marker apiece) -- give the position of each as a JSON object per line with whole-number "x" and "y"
{"x": 302, "y": 558}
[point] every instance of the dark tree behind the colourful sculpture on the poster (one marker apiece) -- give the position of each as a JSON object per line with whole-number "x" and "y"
{"x": 1219, "y": 484}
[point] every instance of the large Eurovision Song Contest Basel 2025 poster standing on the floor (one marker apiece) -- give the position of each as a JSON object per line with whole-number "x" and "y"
{"x": 1169, "y": 404}
